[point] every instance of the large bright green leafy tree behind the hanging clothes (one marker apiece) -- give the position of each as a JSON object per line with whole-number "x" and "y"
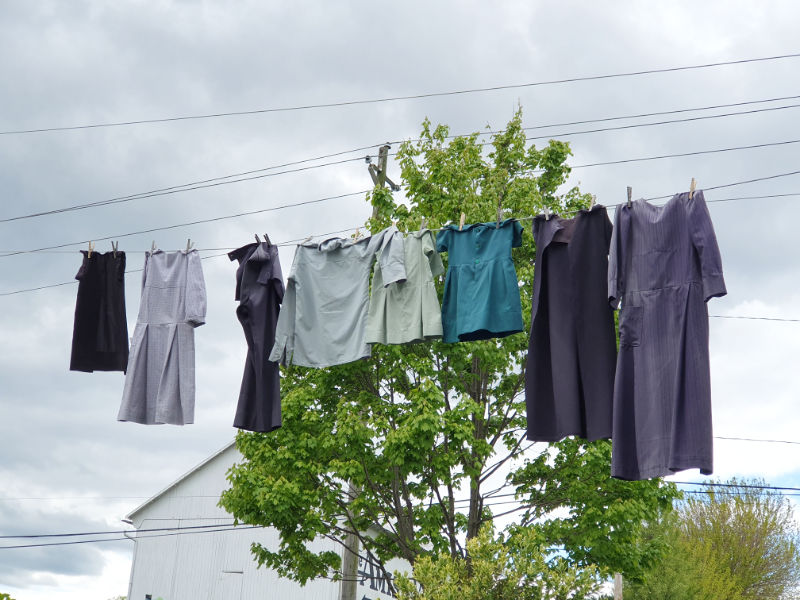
{"x": 429, "y": 435}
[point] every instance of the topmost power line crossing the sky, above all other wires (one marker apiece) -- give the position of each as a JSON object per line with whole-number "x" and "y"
{"x": 400, "y": 98}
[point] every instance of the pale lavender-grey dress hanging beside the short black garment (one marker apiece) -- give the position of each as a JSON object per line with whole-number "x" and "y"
{"x": 160, "y": 384}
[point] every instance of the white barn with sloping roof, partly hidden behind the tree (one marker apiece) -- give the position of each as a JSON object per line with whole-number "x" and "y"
{"x": 218, "y": 565}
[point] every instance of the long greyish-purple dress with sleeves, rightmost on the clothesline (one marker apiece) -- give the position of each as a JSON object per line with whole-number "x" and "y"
{"x": 664, "y": 266}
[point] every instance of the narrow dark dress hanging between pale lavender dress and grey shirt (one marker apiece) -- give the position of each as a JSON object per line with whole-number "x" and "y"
{"x": 259, "y": 289}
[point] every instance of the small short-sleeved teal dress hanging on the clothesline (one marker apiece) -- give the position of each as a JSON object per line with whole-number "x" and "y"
{"x": 481, "y": 292}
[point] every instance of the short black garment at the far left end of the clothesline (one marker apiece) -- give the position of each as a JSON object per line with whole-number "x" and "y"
{"x": 100, "y": 331}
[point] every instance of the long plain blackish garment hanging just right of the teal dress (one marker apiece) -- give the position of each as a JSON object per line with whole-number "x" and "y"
{"x": 569, "y": 375}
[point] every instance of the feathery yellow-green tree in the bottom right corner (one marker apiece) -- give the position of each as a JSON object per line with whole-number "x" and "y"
{"x": 726, "y": 544}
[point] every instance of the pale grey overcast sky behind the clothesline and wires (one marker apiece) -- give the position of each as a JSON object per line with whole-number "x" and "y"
{"x": 66, "y": 464}
